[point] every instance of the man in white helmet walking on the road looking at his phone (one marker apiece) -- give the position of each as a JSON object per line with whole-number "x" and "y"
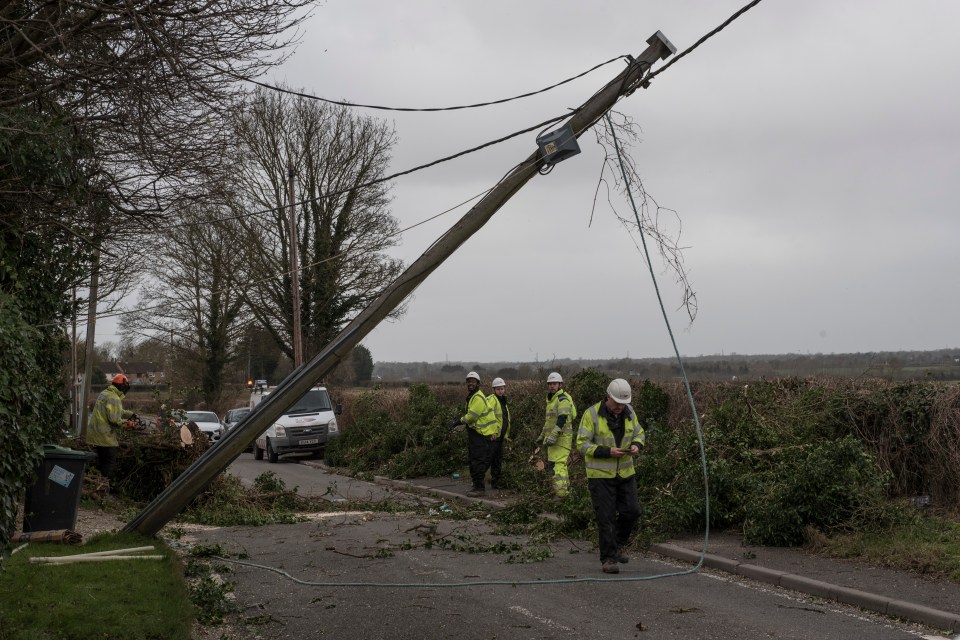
{"x": 610, "y": 436}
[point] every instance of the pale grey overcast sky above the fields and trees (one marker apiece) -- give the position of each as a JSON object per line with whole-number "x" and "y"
{"x": 811, "y": 151}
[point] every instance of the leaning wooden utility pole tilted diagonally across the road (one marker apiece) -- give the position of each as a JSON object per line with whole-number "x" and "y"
{"x": 196, "y": 477}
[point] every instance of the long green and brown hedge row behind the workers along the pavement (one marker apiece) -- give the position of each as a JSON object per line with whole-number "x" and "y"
{"x": 782, "y": 455}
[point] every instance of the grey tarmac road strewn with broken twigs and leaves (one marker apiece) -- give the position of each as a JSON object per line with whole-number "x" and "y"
{"x": 386, "y": 551}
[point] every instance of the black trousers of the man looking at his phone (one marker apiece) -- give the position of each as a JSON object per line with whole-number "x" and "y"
{"x": 615, "y": 504}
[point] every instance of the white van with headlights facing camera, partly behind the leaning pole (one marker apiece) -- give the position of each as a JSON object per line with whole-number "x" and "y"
{"x": 307, "y": 426}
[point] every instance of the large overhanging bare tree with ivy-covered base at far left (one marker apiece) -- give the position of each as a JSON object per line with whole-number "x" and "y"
{"x": 111, "y": 113}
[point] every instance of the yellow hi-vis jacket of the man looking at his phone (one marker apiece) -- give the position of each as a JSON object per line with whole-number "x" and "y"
{"x": 595, "y": 433}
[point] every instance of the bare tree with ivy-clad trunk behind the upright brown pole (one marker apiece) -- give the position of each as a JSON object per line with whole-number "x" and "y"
{"x": 343, "y": 222}
